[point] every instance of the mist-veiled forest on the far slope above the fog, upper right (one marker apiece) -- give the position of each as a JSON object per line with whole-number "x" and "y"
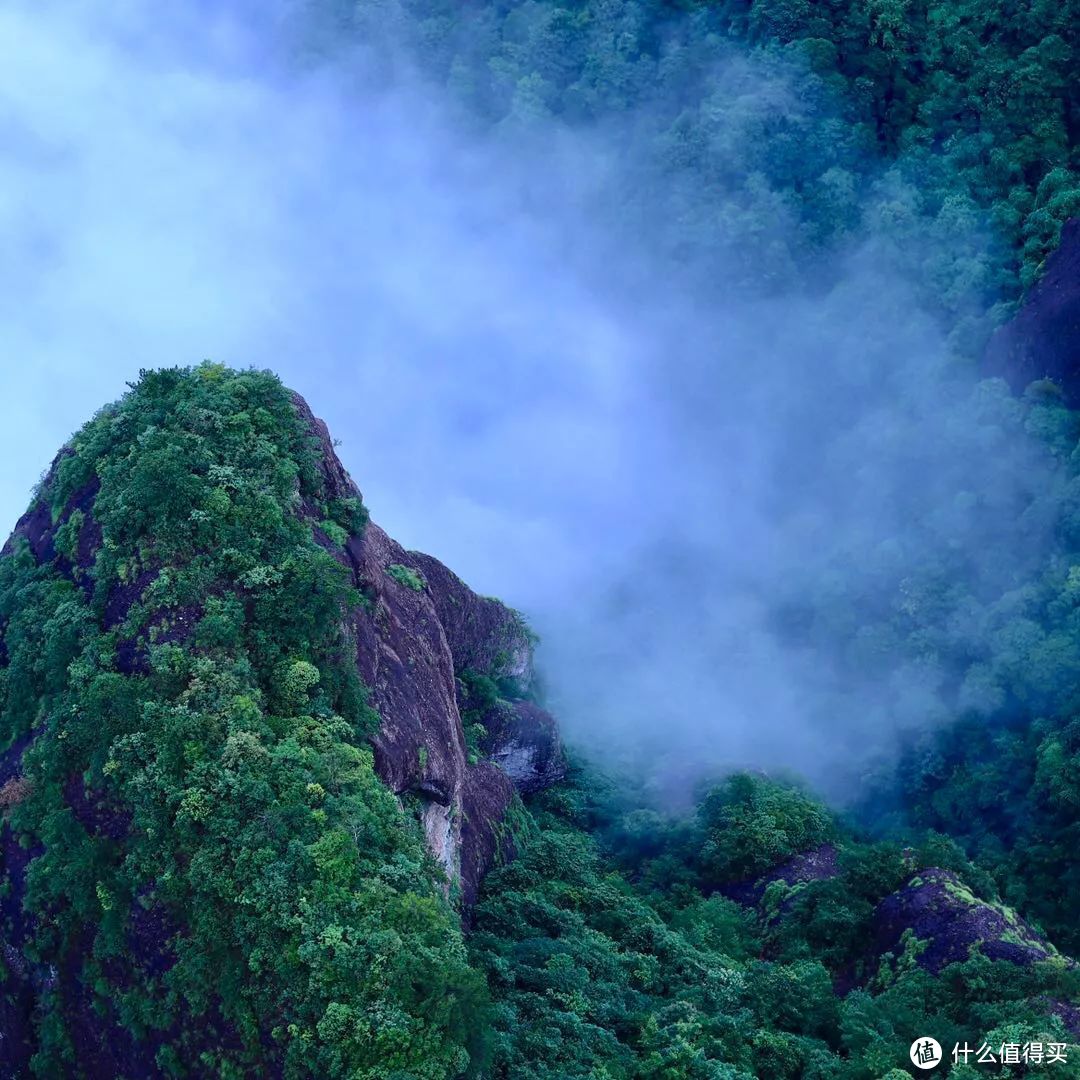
{"x": 951, "y": 128}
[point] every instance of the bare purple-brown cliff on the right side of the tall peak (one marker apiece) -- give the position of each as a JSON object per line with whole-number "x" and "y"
{"x": 416, "y": 634}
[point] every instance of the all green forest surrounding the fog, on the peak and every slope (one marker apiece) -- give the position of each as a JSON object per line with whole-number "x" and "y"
{"x": 288, "y": 917}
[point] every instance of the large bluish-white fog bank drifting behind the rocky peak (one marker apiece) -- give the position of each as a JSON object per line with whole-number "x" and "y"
{"x": 651, "y": 463}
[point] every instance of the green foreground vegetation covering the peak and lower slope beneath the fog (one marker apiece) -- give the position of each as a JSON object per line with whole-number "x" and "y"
{"x": 205, "y": 874}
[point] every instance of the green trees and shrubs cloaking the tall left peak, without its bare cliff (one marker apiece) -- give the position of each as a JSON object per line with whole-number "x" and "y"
{"x": 211, "y": 849}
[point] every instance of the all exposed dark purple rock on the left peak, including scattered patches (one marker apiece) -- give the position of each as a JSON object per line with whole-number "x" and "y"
{"x": 417, "y": 631}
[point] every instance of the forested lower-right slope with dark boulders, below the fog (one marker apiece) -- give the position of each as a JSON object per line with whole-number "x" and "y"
{"x": 760, "y": 940}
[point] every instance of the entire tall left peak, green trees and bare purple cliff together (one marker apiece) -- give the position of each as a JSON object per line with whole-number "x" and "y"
{"x": 224, "y": 695}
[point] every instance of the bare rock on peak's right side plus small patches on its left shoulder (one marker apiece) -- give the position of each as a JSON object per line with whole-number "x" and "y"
{"x": 417, "y": 631}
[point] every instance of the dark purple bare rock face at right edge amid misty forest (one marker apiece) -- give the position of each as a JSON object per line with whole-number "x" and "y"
{"x": 1044, "y": 340}
